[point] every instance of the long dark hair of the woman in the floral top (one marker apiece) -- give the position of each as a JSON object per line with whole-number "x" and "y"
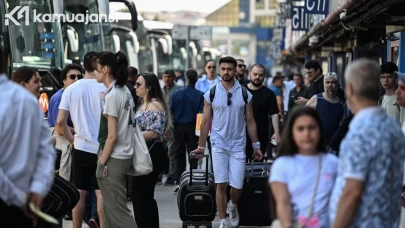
{"x": 155, "y": 92}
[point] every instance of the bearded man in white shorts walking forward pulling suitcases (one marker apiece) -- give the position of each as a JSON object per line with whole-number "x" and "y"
{"x": 228, "y": 108}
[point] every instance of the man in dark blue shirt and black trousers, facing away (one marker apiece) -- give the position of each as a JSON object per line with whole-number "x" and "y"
{"x": 186, "y": 103}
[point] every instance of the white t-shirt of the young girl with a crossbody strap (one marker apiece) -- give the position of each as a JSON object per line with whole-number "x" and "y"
{"x": 299, "y": 173}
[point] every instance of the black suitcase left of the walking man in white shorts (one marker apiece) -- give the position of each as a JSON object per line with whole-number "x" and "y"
{"x": 196, "y": 197}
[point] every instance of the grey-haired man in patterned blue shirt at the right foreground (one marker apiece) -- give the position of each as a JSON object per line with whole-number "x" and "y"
{"x": 368, "y": 185}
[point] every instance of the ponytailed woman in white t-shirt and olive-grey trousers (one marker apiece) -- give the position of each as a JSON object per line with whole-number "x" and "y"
{"x": 115, "y": 138}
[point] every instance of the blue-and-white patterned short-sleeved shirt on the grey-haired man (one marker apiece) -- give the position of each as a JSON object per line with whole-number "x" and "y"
{"x": 372, "y": 152}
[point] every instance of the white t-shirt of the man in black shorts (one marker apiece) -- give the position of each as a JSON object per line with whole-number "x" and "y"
{"x": 82, "y": 100}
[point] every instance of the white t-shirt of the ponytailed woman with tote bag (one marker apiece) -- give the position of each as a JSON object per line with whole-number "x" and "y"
{"x": 119, "y": 103}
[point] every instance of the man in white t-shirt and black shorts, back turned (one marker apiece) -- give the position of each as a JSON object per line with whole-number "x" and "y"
{"x": 82, "y": 101}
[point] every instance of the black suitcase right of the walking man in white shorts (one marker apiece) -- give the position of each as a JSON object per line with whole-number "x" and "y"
{"x": 256, "y": 205}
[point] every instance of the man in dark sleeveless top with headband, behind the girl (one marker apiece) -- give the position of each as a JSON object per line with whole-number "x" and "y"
{"x": 329, "y": 106}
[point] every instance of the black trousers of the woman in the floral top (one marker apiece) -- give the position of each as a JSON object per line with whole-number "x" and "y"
{"x": 146, "y": 211}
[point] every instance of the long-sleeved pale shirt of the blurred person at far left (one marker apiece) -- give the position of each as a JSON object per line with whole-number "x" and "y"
{"x": 27, "y": 161}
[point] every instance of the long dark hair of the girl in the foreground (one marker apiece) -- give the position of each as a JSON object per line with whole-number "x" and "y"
{"x": 287, "y": 147}
